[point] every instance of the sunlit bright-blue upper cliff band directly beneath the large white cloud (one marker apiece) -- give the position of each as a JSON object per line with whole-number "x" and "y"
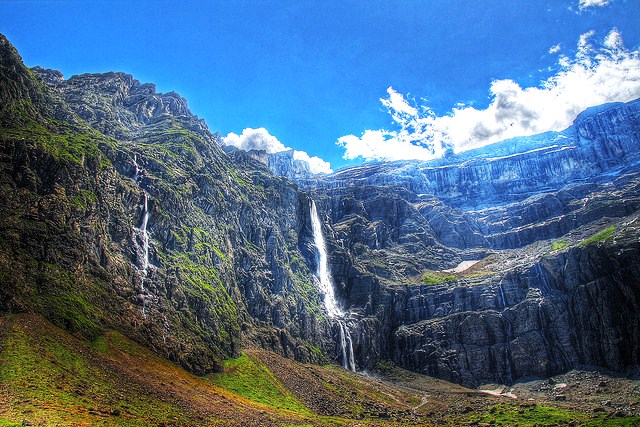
{"x": 601, "y": 142}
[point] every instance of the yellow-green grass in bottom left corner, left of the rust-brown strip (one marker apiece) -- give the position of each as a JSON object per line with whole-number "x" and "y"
{"x": 55, "y": 381}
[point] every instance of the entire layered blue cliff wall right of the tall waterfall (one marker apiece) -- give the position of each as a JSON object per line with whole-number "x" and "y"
{"x": 544, "y": 296}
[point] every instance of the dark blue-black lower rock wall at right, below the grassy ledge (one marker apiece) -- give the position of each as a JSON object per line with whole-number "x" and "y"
{"x": 575, "y": 308}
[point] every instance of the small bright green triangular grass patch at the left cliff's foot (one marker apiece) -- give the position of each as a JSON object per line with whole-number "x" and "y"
{"x": 248, "y": 378}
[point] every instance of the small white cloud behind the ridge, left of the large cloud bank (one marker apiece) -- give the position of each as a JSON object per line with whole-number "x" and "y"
{"x": 261, "y": 139}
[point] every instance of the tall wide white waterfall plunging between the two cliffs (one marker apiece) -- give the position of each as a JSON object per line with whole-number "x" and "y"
{"x": 334, "y": 311}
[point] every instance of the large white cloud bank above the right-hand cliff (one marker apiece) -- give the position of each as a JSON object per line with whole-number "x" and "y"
{"x": 596, "y": 75}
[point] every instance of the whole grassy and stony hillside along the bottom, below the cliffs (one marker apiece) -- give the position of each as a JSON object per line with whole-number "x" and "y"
{"x": 51, "y": 378}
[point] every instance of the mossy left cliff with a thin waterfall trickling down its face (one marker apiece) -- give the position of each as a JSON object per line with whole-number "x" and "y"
{"x": 120, "y": 210}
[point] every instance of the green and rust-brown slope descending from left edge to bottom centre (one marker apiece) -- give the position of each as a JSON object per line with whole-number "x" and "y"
{"x": 50, "y": 378}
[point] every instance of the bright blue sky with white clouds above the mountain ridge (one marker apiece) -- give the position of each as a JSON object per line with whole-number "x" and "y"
{"x": 362, "y": 79}
